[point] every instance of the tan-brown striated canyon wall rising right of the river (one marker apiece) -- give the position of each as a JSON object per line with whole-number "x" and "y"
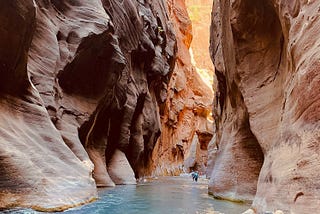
{"x": 267, "y": 105}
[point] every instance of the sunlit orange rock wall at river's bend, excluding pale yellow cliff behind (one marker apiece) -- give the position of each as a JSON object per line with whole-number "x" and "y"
{"x": 186, "y": 127}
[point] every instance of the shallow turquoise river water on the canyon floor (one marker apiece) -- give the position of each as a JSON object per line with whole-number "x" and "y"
{"x": 178, "y": 195}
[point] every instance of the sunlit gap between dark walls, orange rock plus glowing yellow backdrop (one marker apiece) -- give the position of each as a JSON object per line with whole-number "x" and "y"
{"x": 187, "y": 123}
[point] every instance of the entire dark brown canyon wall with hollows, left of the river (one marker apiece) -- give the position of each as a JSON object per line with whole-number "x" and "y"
{"x": 80, "y": 86}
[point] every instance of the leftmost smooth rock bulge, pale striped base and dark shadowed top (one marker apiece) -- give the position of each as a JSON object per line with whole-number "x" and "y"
{"x": 38, "y": 169}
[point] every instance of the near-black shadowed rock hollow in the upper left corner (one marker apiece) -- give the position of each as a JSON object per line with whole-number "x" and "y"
{"x": 14, "y": 49}
